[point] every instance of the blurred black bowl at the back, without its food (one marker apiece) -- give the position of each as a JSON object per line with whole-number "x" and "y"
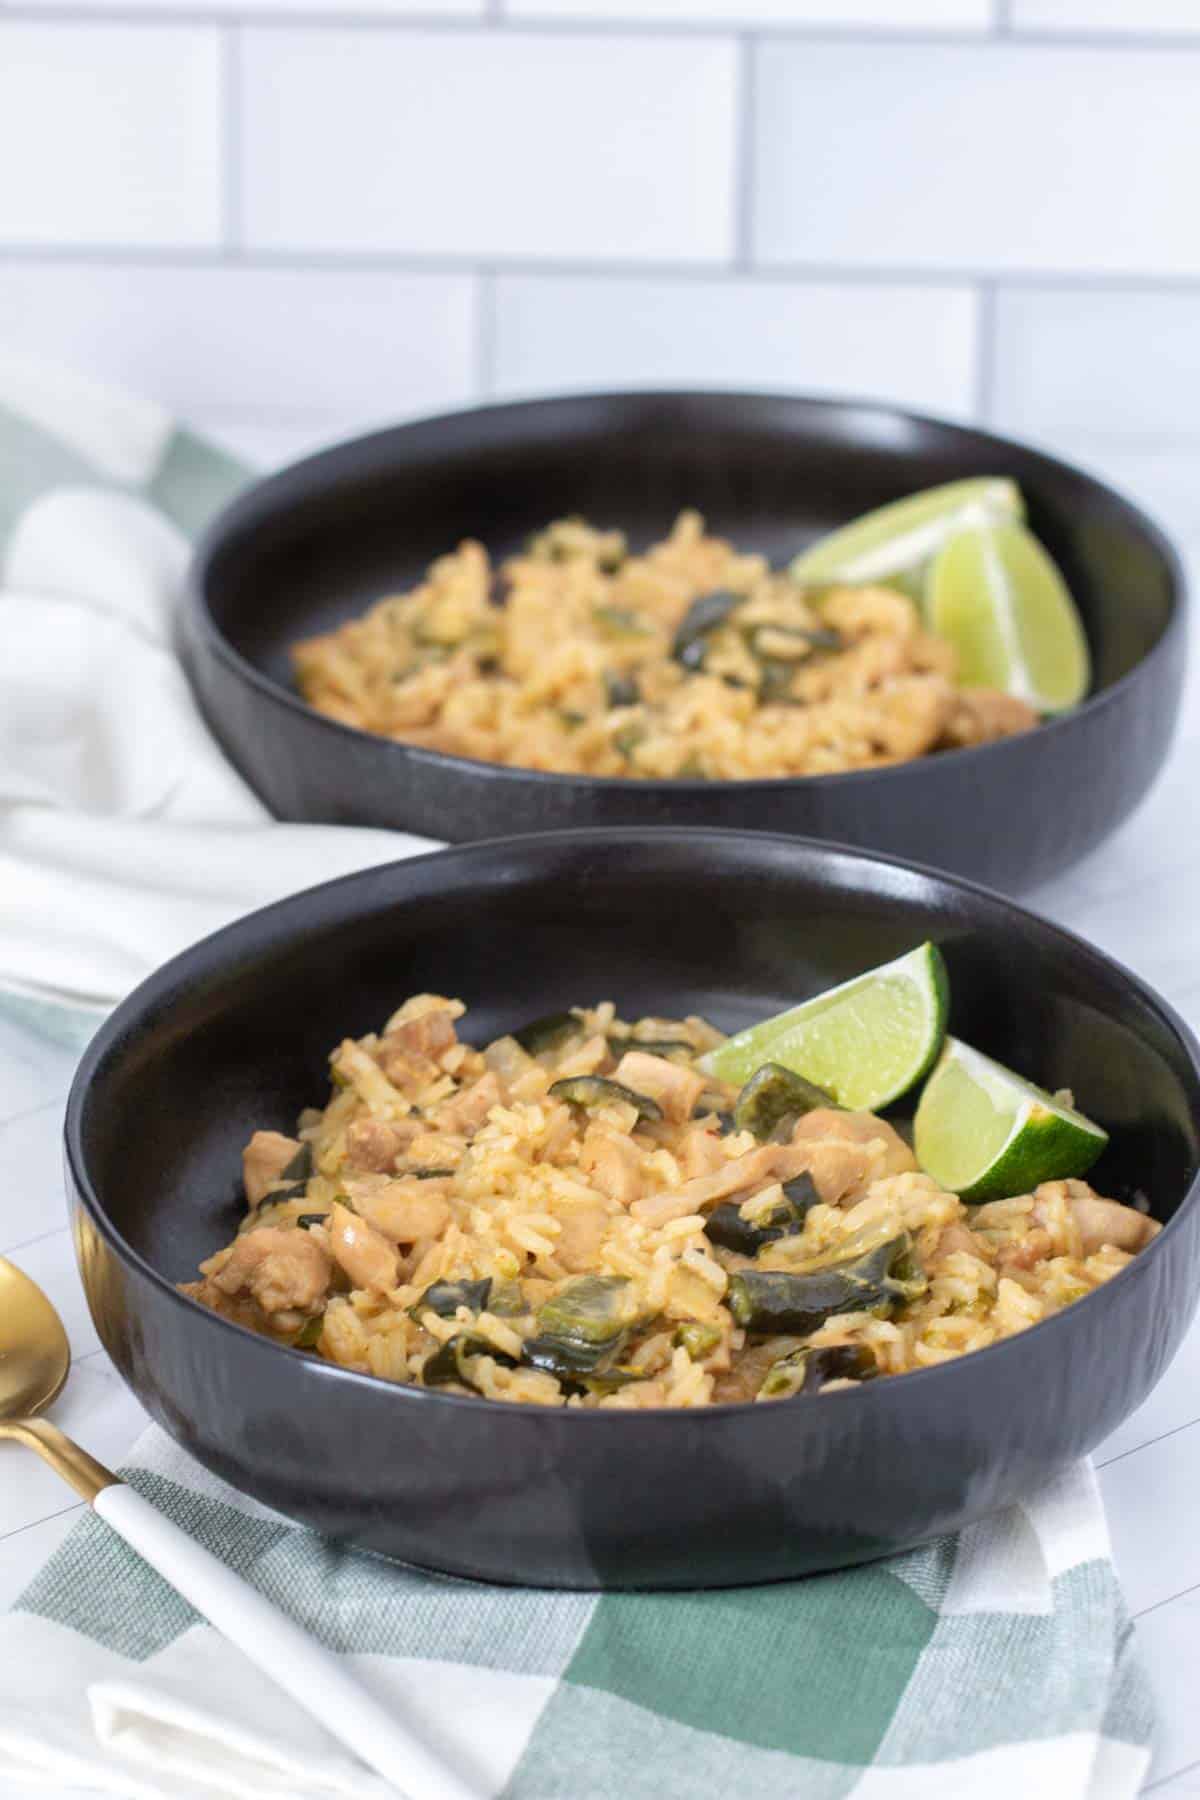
{"x": 316, "y": 544}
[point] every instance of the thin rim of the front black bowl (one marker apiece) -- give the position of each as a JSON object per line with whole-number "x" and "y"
{"x": 174, "y": 975}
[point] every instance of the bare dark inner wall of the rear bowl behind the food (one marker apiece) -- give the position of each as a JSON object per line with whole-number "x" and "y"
{"x": 316, "y": 544}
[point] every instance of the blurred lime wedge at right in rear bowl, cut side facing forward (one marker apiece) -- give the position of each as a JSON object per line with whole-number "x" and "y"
{"x": 1005, "y": 607}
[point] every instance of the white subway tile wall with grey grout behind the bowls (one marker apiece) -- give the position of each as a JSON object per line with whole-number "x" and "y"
{"x": 301, "y": 219}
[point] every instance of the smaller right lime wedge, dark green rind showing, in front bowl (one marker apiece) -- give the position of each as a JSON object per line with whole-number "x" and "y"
{"x": 985, "y": 1135}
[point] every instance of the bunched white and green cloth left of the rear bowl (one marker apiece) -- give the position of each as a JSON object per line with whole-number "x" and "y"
{"x": 125, "y": 836}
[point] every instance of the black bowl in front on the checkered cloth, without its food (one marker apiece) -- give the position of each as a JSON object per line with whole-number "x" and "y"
{"x": 235, "y": 1034}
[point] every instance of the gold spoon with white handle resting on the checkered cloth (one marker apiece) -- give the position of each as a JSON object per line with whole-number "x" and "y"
{"x": 35, "y": 1360}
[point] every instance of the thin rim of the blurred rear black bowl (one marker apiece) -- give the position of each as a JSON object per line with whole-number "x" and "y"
{"x": 341, "y": 456}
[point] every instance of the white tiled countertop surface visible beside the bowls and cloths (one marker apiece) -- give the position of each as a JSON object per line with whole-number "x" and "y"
{"x": 1131, "y": 899}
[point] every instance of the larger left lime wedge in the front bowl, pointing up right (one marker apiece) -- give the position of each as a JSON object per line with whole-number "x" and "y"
{"x": 866, "y": 1041}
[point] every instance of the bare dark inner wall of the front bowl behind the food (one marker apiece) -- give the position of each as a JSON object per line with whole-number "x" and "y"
{"x": 237, "y": 1034}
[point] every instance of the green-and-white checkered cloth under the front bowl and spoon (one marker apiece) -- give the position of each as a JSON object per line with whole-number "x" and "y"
{"x": 989, "y": 1664}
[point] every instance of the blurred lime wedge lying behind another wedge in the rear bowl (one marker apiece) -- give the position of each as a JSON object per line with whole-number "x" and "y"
{"x": 900, "y": 539}
